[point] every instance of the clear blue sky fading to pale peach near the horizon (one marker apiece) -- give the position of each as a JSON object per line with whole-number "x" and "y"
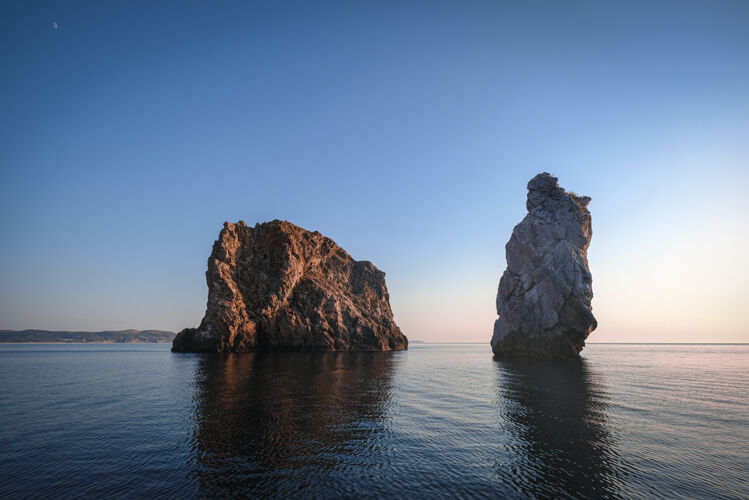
{"x": 406, "y": 131}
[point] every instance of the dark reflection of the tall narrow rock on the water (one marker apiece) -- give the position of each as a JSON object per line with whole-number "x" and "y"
{"x": 558, "y": 440}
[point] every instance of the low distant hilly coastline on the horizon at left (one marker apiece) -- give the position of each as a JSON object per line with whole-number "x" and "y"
{"x": 109, "y": 336}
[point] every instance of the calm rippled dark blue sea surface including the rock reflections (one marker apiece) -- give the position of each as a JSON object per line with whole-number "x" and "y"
{"x": 438, "y": 420}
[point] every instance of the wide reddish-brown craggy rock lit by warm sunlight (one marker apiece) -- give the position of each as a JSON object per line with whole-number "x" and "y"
{"x": 278, "y": 287}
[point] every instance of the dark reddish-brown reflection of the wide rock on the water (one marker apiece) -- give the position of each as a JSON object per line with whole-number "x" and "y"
{"x": 290, "y": 423}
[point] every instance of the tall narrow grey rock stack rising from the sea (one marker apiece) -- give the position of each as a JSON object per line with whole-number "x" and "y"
{"x": 544, "y": 295}
